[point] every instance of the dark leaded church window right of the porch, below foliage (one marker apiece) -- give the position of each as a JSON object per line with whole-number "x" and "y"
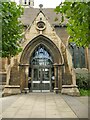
{"x": 78, "y": 55}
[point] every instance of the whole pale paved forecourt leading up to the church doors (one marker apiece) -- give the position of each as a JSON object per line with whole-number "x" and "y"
{"x": 44, "y": 105}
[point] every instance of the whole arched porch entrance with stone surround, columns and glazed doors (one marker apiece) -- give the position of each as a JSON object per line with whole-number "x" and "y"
{"x": 41, "y": 64}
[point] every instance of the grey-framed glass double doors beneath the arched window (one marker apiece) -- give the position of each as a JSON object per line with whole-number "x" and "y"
{"x": 41, "y": 81}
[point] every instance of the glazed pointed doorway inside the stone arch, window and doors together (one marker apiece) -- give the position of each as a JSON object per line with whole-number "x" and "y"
{"x": 41, "y": 70}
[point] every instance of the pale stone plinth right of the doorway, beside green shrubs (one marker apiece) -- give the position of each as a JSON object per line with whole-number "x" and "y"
{"x": 70, "y": 90}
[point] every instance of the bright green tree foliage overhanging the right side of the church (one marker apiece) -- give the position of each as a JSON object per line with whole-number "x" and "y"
{"x": 78, "y": 26}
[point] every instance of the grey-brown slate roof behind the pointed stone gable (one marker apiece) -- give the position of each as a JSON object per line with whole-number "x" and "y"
{"x": 30, "y": 14}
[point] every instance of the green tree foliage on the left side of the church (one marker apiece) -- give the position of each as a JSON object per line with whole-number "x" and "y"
{"x": 12, "y": 29}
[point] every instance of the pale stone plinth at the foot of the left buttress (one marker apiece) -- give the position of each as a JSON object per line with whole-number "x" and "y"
{"x": 11, "y": 90}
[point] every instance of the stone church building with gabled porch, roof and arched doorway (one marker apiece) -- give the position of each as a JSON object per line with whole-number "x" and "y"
{"x": 48, "y": 61}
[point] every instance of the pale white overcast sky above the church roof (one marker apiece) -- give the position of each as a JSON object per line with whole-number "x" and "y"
{"x": 46, "y": 3}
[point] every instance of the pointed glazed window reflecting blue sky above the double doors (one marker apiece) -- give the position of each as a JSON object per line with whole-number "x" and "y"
{"x": 41, "y": 57}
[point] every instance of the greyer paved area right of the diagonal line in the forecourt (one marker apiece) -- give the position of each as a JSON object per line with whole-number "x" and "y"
{"x": 78, "y": 106}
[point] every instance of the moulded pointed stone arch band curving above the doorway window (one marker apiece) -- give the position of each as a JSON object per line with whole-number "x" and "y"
{"x": 49, "y": 44}
